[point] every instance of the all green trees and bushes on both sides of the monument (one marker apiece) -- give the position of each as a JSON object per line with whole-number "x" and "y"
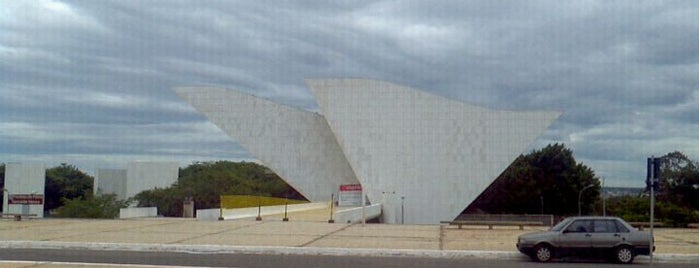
{"x": 544, "y": 181}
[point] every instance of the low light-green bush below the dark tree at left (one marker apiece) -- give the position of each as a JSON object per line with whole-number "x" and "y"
{"x": 104, "y": 206}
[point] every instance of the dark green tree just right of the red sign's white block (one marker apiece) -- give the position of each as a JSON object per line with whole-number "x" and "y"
{"x": 65, "y": 182}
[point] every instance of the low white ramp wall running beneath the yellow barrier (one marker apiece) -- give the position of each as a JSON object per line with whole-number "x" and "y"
{"x": 241, "y": 213}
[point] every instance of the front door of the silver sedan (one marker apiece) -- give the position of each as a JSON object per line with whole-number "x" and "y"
{"x": 575, "y": 239}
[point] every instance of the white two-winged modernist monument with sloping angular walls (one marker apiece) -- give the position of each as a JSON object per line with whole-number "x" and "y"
{"x": 423, "y": 157}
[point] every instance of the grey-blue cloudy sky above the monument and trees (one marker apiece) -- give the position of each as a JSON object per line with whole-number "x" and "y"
{"x": 89, "y": 82}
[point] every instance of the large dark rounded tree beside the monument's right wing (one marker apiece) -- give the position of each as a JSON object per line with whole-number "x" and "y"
{"x": 545, "y": 181}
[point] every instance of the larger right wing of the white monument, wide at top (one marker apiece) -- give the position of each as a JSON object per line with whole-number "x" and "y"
{"x": 422, "y": 155}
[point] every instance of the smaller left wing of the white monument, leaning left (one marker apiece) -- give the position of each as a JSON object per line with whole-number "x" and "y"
{"x": 296, "y": 144}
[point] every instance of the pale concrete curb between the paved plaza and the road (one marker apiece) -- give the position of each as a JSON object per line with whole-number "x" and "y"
{"x": 360, "y": 252}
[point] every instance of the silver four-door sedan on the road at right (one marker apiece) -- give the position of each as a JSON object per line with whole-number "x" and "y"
{"x": 587, "y": 236}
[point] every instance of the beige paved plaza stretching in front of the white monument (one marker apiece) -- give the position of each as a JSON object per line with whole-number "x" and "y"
{"x": 306, "y": 233}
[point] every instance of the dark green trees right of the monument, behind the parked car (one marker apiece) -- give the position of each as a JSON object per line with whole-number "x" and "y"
{"x": 550, "y": 181}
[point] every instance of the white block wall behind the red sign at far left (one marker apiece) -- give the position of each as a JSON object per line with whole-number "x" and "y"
{"x": 27, "y": 179}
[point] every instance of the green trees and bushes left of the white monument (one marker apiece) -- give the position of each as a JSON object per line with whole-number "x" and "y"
{"x": 68, "y": 191}
